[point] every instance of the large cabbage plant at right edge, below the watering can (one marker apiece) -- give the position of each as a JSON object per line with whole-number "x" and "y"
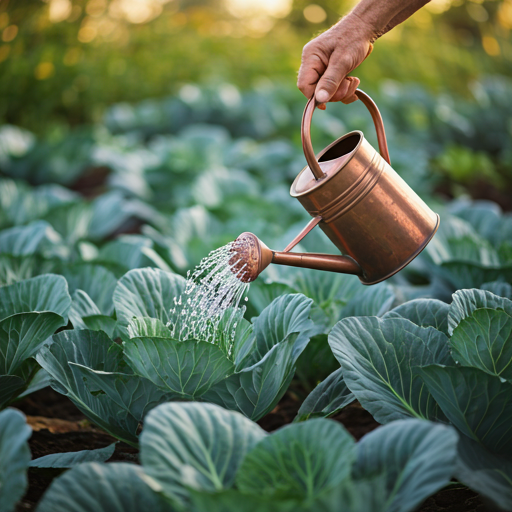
{"x": 445, "y": 363}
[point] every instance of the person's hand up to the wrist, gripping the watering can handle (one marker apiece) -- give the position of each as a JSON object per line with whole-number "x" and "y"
{"x": 330, "y": 57}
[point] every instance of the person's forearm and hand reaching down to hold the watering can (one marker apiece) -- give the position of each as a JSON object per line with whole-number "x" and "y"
{"x": 329, "y": 58}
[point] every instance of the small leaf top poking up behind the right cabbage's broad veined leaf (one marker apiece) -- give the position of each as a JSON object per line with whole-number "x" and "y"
{"x": 423, "y": 312}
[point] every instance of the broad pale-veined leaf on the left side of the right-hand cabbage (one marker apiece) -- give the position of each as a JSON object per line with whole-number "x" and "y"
{"x": 377, "y": 356}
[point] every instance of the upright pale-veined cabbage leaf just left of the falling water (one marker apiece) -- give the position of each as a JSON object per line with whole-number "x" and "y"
{"x": 146, "y": 293}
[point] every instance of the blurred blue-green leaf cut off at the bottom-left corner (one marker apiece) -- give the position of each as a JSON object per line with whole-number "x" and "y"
{"x": 14, "y": 458}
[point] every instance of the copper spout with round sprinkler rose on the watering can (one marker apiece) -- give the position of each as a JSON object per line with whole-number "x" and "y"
{"x": 251, "y": 256}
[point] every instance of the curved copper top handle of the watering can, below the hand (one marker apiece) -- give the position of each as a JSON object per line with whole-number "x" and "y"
{"x": 306, "y": 131}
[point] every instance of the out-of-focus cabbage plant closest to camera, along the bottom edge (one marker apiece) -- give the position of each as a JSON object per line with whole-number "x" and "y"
{"x": 202, "y": 458}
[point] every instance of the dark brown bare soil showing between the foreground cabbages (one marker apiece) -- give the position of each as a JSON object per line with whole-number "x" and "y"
{"x": 58, "y": 426}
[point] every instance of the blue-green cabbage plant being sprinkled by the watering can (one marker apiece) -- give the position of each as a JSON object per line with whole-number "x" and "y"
{"x": 116, "y": 385}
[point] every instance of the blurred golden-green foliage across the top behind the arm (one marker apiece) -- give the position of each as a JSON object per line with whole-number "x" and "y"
{"x": 62, "y": 62}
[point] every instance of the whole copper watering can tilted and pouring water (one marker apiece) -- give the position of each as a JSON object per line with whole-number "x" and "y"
{"x": 367, "y": 210}
